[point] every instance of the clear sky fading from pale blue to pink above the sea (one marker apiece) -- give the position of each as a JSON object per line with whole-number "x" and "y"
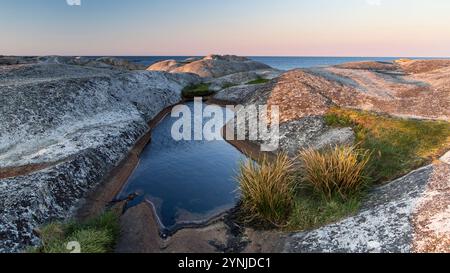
{"x": 397, "y": 28}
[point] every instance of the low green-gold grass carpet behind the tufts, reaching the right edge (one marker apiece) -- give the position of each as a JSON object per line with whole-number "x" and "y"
{"x": 398, "y": 145}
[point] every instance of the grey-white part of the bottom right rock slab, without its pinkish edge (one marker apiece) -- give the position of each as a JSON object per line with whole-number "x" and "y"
{"x": 383, "y": 225}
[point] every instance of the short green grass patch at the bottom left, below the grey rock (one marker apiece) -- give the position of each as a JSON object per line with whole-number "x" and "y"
{"x": 98, "y": 235}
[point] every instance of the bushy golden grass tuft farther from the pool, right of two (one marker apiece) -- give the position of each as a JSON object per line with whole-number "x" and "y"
{"x": 335, "y": 171}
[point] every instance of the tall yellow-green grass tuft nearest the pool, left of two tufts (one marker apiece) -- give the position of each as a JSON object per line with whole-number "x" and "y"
{"x": 268, "y": 189}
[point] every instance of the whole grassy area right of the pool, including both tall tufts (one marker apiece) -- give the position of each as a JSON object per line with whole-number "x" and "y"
{"x": 330, "y": 184}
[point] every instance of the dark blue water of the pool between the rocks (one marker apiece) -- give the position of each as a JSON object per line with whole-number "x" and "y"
{"x": 186, "y": 181}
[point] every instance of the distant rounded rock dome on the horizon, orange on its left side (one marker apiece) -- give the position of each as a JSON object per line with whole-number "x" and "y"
{"x": 212, "y": 66}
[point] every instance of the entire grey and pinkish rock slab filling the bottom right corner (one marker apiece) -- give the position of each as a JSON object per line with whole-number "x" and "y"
{"x": 408, "y": 215}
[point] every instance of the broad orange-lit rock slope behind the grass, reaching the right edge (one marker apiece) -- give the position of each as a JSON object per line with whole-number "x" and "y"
{"x": 379, "y": 87}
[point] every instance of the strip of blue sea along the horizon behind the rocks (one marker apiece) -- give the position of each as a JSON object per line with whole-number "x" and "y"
{"x": 283, "y": 63}
